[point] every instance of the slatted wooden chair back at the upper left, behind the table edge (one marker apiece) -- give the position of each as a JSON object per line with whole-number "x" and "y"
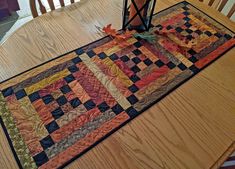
{"x": 42, "y": 7}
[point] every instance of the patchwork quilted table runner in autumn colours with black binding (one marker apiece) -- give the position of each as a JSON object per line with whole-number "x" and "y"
{"x": 57, "y": 111}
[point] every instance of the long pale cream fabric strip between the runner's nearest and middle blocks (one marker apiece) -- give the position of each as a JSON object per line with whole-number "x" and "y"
{"x": 105, "y": 81}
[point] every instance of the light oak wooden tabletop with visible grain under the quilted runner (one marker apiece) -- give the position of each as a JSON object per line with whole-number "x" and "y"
{"x": 193, "y": 127}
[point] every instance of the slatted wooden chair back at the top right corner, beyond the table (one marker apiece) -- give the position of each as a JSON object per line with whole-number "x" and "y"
{"x": 220, "y": 4}
